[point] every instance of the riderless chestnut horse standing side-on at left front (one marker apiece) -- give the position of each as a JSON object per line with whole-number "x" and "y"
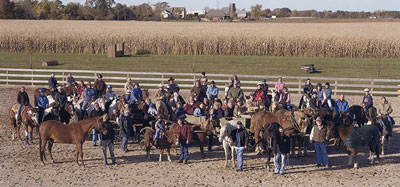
{"x": 74, "y": 133}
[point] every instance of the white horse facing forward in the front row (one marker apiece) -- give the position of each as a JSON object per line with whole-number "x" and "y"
{"x": 226, "y": 140}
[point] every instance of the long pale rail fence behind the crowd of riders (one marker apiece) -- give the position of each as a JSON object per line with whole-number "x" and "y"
{"x": 13, "y": 76}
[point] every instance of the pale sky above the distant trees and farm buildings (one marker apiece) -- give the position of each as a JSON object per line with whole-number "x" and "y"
{"x": 320, "y": 5}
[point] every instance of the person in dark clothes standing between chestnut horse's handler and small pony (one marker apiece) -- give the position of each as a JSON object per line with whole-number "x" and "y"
{"x": 125, "y": 126}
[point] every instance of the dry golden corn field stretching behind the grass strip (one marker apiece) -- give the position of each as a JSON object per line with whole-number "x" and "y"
{"x": 354, "y": 40}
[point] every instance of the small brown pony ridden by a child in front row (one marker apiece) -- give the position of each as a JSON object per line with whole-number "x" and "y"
{"x": 165, "y": 141}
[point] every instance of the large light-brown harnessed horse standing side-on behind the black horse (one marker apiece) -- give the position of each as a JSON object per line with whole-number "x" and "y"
{"x": 292, "y": 123}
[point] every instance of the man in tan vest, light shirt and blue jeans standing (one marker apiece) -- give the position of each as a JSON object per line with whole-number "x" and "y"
{"x": 318, "y": 136}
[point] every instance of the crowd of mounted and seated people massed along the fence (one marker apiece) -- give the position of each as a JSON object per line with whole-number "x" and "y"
{"x": 204, "y": 100}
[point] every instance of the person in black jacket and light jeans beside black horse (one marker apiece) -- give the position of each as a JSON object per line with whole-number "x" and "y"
{"x": 281, "y": 151}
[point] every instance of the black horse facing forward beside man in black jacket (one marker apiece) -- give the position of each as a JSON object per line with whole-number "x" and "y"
{"x": 269, "y": 135}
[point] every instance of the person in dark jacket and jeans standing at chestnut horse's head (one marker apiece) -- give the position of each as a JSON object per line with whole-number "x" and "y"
{"x": 107, "y": 141}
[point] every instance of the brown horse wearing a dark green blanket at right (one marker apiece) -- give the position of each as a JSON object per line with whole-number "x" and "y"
{"x": 367, "y": 135}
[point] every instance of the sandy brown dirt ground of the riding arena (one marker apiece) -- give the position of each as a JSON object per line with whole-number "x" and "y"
{"x": 20, "y": 165}
